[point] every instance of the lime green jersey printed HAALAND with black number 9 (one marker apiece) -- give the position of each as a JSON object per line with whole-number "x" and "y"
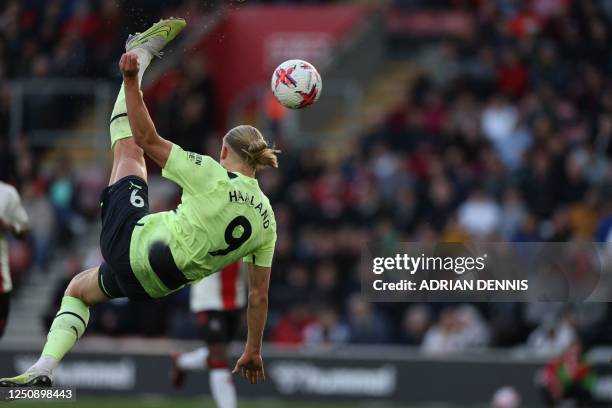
{"x": 222, "y": 218}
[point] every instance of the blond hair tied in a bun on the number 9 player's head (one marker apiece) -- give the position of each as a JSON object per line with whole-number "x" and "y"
{"x": 249, "y": 144}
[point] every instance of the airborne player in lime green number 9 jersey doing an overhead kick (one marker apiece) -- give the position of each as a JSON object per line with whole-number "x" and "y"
{"x": 223, "y": 217}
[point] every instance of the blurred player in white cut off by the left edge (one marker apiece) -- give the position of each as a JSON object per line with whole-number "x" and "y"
{"x": 13, "y": 220}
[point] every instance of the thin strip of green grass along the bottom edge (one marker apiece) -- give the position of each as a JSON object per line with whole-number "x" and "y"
{"x": 200, "y": 403}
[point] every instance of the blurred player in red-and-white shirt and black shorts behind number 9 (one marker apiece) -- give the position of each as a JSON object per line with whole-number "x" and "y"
{"x": 217, "y": 301}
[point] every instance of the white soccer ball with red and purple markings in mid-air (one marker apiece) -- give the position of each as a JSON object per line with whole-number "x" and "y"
{"x": 296, "y": 84}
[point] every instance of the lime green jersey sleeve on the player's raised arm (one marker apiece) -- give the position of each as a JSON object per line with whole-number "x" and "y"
{"x": 192, "y": 171}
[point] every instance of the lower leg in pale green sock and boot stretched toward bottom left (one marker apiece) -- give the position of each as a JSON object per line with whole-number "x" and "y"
{"x": 67, "y": 328}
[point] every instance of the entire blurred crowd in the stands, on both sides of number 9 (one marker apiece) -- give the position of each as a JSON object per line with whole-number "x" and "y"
{"x": 504, "y": 135}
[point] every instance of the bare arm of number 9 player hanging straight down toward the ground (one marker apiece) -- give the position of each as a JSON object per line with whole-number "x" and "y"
{"x": 250, "y": 364}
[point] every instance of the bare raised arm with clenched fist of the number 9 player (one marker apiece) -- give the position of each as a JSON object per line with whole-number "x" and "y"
{"x": 143, "y": 130}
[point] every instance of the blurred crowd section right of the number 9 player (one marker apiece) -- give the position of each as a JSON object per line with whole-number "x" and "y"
{"x": 504, "y": 135}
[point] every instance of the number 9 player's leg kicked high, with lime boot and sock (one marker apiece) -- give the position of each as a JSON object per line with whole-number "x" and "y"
{"x": 128, "y": 158}
